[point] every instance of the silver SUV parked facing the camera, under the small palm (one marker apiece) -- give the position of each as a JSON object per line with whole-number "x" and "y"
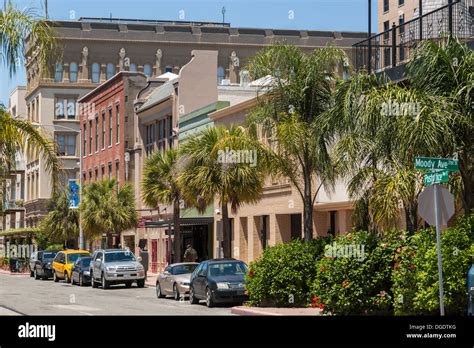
{"x": 116, "y": 266}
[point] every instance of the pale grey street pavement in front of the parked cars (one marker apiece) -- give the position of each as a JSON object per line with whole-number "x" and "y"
{"x": 22, "y": 295}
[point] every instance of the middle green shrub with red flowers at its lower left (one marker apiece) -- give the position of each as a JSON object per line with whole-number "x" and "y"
{"x": 348, "y": 285}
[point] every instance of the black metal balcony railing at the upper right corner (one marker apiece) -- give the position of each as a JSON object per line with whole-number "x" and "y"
{"x": 396, "y": 45}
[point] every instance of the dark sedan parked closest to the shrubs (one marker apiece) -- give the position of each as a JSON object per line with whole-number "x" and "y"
{"x": 218, "y": 281}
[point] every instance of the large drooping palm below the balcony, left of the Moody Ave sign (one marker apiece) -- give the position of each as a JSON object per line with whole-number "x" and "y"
{"x": 377, "y": 144}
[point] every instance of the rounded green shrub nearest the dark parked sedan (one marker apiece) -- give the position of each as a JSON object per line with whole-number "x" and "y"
{"x": 282, "y": 276}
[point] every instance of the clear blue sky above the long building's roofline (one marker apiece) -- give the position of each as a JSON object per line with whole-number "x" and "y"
{"x": 341, "y": 15}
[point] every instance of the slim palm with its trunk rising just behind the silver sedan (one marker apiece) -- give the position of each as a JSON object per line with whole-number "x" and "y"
{"x": 160, "y": 186}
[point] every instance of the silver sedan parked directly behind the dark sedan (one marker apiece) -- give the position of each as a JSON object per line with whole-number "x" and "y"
{"x": 175, "y": 280}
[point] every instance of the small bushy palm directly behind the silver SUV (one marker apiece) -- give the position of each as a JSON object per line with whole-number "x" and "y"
{"x": 107, "y": 208}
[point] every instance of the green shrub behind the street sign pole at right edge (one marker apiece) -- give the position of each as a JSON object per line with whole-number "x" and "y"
{"x": 415, "y": 280}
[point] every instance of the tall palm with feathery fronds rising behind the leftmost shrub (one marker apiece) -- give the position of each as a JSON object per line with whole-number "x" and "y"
{"x": 289, "y": 114}
